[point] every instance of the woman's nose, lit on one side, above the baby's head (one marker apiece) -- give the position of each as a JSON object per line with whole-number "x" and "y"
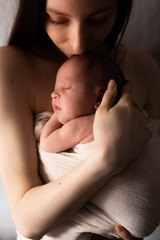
{"x": 78, "y": 39}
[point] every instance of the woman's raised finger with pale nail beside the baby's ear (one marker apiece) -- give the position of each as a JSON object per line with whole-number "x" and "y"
{"x": 109, "y": 95}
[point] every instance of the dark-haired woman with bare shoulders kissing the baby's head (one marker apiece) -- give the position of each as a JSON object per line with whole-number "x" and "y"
{"x": 44, "y": 35}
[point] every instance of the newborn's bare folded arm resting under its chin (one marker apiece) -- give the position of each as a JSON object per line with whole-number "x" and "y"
{"x": 56, "y": 137}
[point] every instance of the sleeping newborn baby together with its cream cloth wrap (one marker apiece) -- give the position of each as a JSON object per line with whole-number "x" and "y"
{"x": 131, "y": 198}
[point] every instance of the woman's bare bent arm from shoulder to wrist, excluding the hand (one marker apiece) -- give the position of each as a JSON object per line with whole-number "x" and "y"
{"x": 37, "y": 208}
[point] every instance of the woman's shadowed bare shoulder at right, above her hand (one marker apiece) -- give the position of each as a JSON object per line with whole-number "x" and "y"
{"x": 143, "y": 70}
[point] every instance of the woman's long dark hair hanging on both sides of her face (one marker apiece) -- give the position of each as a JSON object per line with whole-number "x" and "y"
{"x": 29, "y": 24}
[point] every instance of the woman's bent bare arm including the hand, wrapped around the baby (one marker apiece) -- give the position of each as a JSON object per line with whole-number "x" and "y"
{"x": 38, "y": 208}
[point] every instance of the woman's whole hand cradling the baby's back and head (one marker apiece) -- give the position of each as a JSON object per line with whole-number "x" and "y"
{"x": 120, "y": 132}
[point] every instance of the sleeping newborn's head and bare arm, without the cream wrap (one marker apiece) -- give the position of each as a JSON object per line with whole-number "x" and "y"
{"x": 79, "y": 88}
